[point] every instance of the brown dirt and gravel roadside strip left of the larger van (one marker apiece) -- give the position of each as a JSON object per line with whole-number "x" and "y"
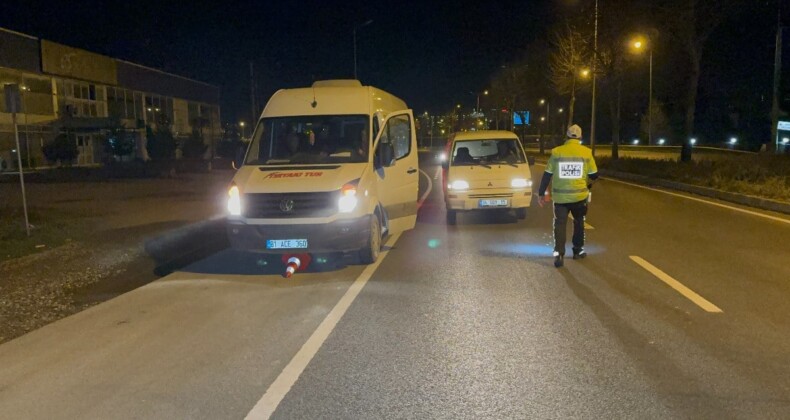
{"x": 94, "y": 239}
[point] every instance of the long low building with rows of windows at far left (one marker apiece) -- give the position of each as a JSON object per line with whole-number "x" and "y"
{"x": 85, "y": 95}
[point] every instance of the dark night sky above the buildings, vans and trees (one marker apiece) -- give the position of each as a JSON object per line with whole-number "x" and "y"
{"x": 430, "y": 53}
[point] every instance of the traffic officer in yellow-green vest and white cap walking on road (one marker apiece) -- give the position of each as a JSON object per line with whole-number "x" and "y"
{"x": 571, "y": 171}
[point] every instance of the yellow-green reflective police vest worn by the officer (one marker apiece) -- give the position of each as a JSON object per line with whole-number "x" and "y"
{"x": 570, "y": 164}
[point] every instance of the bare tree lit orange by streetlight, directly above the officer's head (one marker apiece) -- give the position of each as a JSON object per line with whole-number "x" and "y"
{"x": 571, "y": 53}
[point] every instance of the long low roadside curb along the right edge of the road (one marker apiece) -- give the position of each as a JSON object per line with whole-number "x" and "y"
{"x": 746, "y": 200}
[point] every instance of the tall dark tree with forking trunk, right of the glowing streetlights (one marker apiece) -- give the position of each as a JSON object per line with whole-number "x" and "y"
{"x": 691, "y": 22}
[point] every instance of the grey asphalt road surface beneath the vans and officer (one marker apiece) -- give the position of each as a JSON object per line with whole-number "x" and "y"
{"x": 466, "y": 321}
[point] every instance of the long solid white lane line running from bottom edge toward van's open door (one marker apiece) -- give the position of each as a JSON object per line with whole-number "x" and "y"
{"x": 266, "y": 406}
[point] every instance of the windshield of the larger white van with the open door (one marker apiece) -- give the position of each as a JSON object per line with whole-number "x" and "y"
{"x": 310, "y": 140}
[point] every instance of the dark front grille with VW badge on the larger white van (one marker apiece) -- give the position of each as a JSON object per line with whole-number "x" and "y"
{"x": 287, "y": 205}
